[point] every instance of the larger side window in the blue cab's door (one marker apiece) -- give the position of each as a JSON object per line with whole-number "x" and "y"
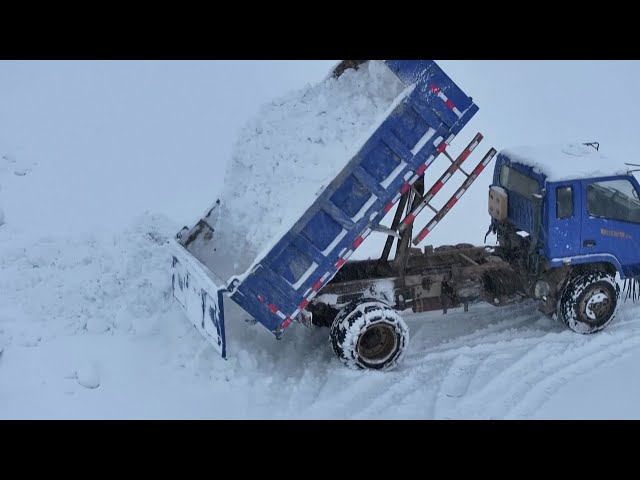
{"x": 614, "y": 200}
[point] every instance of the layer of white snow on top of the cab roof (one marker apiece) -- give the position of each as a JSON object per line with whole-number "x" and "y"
{"x": 566, "y": 162}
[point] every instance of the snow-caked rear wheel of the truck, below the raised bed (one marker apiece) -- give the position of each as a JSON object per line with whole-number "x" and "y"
{"x": 369, "y": 334}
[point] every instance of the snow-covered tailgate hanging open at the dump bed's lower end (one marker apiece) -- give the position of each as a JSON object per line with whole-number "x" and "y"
{"x": 200, "y": 293}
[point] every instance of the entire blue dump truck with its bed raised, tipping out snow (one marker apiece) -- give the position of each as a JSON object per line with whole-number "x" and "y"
{"x": 562, "y": 238}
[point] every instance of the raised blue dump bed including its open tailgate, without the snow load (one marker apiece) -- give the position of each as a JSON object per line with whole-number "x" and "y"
{"x": 296, "y": 264}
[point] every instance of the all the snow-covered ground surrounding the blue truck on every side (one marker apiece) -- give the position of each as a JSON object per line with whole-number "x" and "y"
{"x": 101, "y": 162}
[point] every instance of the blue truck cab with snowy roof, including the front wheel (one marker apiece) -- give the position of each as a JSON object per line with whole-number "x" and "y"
{"x": 563, "y": 214}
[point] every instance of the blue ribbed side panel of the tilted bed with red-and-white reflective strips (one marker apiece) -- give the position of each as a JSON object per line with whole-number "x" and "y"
{"x": 393, "y": 158}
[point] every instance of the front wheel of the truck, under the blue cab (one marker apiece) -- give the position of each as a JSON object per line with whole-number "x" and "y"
{"x": 590, "y": 302}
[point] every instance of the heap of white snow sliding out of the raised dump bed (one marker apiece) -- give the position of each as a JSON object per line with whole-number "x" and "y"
{"x": 288, "y": 154}
